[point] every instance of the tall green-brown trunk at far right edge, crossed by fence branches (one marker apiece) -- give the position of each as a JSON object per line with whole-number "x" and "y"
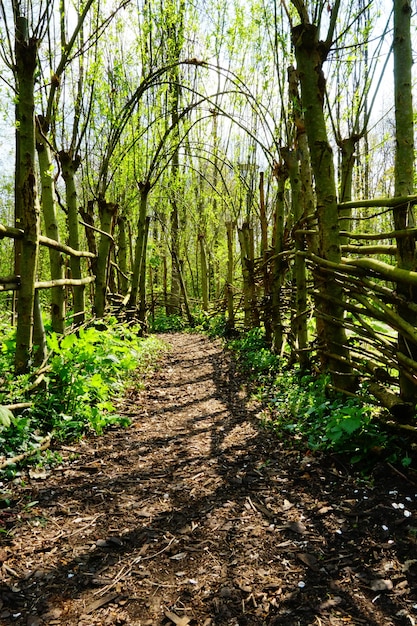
{"x": 404, "y": 175}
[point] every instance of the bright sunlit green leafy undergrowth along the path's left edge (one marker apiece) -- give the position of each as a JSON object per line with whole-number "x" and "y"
{"x": 85, "y": 373}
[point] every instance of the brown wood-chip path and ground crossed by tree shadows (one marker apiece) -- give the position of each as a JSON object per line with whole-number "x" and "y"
{"x": 195, "y": 515}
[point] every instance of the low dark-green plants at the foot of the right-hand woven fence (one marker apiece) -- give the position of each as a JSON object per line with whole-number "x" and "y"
{"x": 302, "y": 409}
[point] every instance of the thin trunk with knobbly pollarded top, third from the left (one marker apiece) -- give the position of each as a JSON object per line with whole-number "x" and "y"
{"x": 69, "y": 168}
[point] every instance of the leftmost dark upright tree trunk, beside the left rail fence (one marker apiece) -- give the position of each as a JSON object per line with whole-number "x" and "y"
{"x": 27, "y": 203}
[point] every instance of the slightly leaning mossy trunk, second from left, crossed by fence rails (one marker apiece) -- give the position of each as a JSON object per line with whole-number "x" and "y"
{"x": 50, "y": 219}
